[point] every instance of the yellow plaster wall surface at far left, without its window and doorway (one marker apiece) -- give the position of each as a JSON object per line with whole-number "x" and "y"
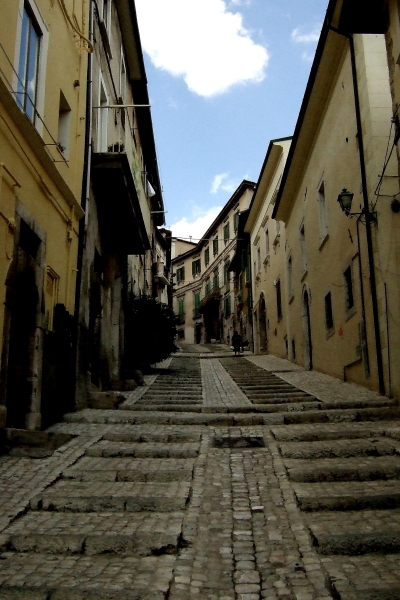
{"x": 40, "y": 184}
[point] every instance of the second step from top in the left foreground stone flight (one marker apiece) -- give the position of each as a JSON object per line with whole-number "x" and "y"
{"x": 109, "y": 449}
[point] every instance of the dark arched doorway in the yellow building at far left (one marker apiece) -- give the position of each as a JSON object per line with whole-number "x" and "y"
{"x": 21, "y": 352}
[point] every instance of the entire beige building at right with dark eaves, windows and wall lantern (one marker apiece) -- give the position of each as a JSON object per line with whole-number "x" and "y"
{"x": 343, "y": 311}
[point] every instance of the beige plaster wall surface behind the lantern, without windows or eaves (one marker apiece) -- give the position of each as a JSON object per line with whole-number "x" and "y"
{"x": 333, "y": 162}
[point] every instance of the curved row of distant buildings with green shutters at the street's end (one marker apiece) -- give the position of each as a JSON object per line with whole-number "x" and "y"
{"x": 204, "y": 298}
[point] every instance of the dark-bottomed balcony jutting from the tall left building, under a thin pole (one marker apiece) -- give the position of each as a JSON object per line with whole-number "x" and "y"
{"x": 116, "y": 180}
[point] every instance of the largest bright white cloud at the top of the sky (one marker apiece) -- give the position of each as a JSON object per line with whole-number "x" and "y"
{"x": 201, "y": 41}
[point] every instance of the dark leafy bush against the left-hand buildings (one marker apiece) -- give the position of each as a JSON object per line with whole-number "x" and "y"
{"x": 150, "y": 333}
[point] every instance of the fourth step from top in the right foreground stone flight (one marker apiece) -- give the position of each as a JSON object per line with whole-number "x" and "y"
{"x": 349, "y": 495}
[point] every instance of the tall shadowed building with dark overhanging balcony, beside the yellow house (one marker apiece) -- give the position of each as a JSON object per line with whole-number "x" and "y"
{"x": 122, "y": 252}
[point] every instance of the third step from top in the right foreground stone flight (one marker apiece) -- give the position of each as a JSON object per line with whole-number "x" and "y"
{"x": 347, "y": 469}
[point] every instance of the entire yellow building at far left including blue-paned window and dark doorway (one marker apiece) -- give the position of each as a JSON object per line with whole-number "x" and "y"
{"x": 42, "y": 134}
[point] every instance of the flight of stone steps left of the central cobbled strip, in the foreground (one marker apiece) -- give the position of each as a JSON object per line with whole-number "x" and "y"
{"x": 109, "y": 527}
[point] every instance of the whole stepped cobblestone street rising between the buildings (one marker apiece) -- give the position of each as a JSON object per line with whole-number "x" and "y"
{"x": 221, "y": 478}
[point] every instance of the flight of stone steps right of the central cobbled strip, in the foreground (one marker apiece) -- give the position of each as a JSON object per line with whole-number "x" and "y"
{"x": 346, "y": 484}
